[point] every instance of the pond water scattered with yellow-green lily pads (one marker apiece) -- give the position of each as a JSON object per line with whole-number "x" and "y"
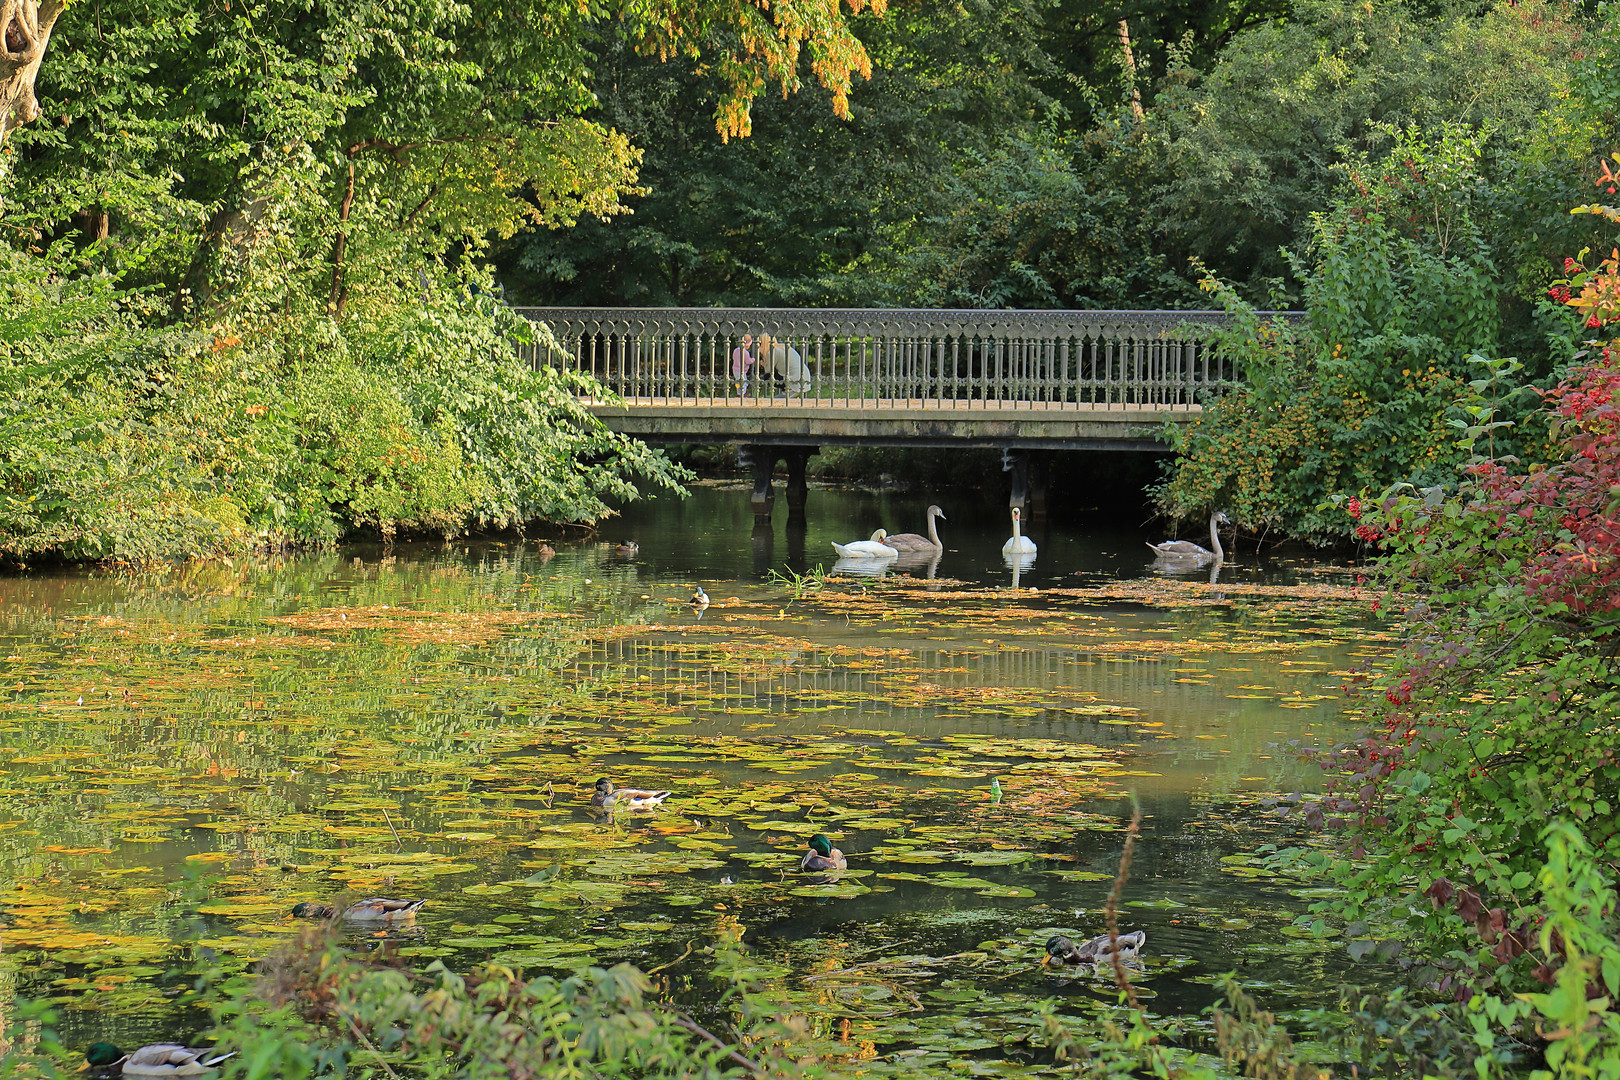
{"x": 190, "y": 755}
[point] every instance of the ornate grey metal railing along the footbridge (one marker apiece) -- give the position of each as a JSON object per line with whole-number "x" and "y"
{"x": 892, "y": 357}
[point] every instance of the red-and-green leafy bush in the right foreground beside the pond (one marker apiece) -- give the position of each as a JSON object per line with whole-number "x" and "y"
{"x": 1481, "y": 807}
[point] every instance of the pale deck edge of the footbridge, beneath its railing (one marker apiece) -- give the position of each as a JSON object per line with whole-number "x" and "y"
{"x": 895, "y": 422}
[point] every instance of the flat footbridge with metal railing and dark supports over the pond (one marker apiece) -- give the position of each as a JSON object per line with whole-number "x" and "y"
{"x": 783, "y": 381}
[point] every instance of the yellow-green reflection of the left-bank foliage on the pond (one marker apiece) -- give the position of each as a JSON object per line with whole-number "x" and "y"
{"x": 202, "y": 712}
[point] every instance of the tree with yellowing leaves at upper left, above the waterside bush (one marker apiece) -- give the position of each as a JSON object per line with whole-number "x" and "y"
{"x": 335, "y": 150}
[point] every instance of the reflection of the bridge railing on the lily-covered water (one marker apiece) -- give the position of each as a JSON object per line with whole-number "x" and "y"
{"x": 1102, "y": 697}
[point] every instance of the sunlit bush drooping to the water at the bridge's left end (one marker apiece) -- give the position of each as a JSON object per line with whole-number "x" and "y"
{"x": 126, "y": 440}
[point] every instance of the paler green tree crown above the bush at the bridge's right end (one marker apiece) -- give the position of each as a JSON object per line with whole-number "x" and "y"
{"x": 1251, "y": 145}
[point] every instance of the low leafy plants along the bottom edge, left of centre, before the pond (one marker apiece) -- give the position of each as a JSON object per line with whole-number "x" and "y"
{"x": 323, "y": 1011}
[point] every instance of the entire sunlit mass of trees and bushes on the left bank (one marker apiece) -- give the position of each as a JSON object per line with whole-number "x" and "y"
{"x": 292, "y": 200}
